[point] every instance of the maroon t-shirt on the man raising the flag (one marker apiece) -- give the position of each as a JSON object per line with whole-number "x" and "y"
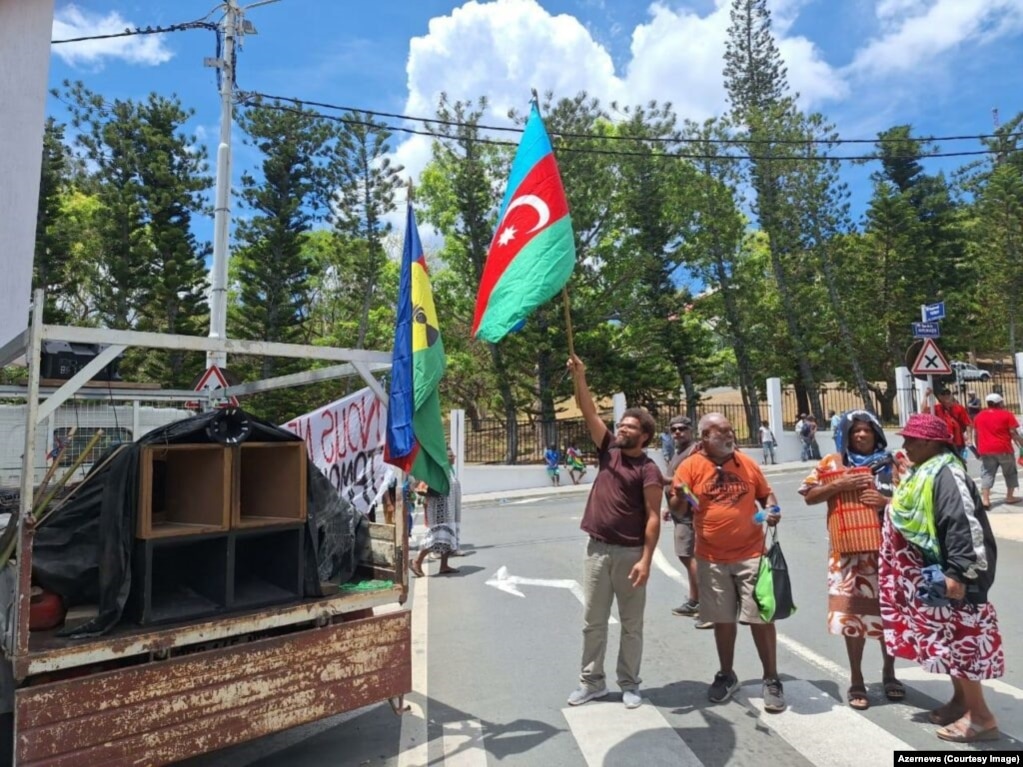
{"x": 616, "y": 510}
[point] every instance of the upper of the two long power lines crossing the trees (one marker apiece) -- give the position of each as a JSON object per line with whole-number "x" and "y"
{"x": 655, "y": 140}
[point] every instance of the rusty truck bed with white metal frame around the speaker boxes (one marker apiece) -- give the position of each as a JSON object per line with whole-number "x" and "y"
{"x": 149, "y": 696}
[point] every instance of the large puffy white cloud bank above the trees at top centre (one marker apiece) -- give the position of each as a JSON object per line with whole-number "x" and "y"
{"x": 503, "y": 49}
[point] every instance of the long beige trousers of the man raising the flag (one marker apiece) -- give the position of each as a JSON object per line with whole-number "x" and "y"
{"x": 607, "y": 579}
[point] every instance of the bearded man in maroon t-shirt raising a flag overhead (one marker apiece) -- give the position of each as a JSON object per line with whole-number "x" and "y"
{"x": 624, "y": 522}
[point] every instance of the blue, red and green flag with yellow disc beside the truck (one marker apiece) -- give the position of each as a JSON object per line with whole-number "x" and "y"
{"x": 415, "y": 430}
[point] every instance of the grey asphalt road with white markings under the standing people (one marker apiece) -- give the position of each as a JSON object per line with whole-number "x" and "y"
{"x": 500, "y": 667}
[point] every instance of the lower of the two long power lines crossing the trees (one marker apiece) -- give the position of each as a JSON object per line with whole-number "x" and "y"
{"x": 611, "y": 153}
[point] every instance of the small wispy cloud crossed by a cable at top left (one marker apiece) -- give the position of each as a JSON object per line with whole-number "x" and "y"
{"x": 71, "y": 22}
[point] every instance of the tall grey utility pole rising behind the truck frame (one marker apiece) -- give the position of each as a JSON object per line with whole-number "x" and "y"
{"x": 223, "y": 211}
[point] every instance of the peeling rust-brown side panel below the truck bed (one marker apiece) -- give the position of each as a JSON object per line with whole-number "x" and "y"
{"x": 166, "y": 711}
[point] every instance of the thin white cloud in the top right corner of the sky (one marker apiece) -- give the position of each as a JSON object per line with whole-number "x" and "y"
{"x": 917, "y": 33}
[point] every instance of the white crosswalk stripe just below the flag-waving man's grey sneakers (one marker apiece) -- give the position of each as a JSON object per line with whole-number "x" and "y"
{"x": 607, "y": 734}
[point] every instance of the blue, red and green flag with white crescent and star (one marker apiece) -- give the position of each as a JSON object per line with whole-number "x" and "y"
{"x": 532, "y": 254}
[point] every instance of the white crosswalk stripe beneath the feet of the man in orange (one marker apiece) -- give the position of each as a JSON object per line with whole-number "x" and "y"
{"x": 841, "y": 738}
